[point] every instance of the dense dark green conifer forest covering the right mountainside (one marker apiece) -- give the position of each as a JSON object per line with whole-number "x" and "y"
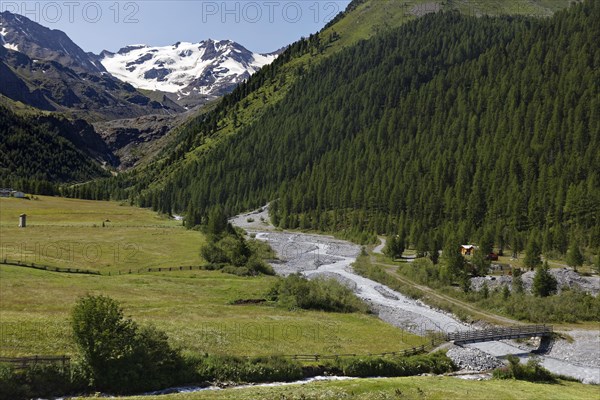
{"x": 448, "y": 124}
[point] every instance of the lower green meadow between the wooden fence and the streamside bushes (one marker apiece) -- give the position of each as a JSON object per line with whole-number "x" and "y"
{"x": 193, "y": 307}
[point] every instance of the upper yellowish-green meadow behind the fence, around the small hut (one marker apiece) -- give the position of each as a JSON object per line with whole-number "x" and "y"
{"x": 70, "y": 233}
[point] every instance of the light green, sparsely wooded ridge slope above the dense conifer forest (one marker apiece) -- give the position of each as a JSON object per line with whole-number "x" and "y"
{"x": 250, "y": 100}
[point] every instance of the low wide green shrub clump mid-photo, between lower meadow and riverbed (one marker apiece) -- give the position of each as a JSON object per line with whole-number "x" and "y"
{"x": 325, "y": 294}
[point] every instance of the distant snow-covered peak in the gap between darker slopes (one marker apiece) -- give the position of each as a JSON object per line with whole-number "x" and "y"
{"x": 209, "y": 68}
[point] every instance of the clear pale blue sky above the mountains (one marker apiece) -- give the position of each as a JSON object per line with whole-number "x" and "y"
{"x": 259, "y": 25}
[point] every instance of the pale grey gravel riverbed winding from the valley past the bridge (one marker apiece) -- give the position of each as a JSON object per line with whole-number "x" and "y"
{"x": 314, "y": 255}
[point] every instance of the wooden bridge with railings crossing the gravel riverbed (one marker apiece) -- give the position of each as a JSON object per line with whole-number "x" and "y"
{"x": 493, "y": 334}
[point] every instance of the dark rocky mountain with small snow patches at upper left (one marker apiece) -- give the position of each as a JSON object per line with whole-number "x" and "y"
{"x": 45, "y": 69}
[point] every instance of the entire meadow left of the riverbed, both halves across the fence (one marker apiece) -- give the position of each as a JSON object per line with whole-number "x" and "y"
{"x": 194, "y": 307}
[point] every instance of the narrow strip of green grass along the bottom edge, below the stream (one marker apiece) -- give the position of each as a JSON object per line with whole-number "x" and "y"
{"x": 441, "y": 388}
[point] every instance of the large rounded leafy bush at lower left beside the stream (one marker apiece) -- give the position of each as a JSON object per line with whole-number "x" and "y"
{"x": 119, "y": 356}
